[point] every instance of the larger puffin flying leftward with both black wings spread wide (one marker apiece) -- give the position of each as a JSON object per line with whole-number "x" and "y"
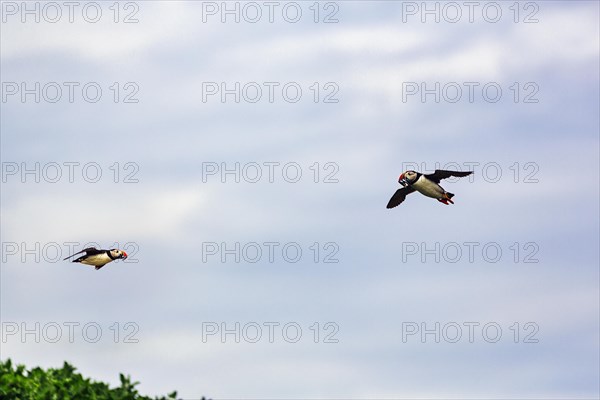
{"x": 426, "y": 184}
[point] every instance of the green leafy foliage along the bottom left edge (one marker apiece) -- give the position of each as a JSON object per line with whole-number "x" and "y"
{"x": 64, "y": 383}
